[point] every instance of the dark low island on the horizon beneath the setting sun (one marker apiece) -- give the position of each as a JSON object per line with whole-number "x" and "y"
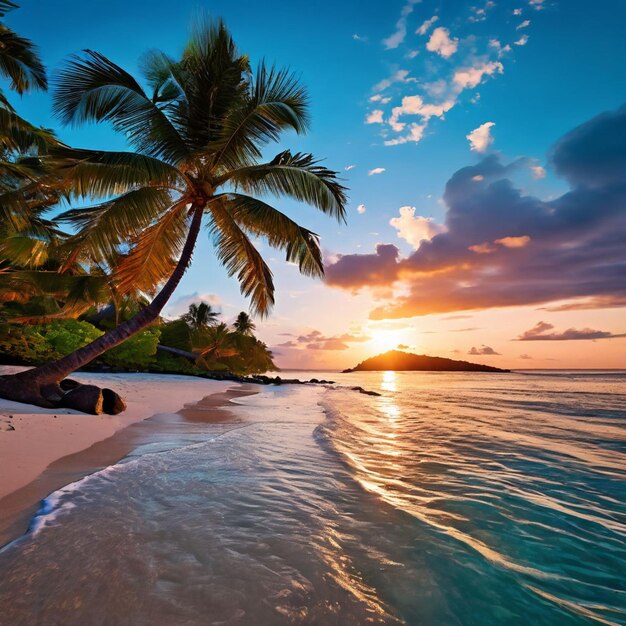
{"x": 396, "y": 360}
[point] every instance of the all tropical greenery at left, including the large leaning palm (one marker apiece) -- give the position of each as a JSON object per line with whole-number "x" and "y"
{"x": 198, "y": 128}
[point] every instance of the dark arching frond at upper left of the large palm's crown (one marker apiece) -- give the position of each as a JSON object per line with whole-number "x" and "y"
{"x": 91, "y": 88}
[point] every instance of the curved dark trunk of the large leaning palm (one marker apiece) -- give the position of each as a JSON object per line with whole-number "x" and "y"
{"x": 40, "y": 385}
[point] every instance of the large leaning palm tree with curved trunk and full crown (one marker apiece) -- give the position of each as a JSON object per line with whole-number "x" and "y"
{"x": 198, "y": 130}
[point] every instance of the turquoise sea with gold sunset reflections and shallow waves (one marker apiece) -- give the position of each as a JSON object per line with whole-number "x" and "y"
{"x": 452, "y": 498}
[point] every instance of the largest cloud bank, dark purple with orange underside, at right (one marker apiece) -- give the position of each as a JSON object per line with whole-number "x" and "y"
{"x": 576, "y": 248}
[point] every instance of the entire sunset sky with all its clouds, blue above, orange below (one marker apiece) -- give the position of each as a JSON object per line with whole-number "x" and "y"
{"x": 484, "y": 146}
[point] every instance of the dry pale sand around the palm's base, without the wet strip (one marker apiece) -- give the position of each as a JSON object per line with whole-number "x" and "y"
{"x": 42, "y": 436}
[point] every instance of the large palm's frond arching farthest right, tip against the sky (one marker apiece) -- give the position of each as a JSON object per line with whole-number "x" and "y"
{"x": 297, "y": 176}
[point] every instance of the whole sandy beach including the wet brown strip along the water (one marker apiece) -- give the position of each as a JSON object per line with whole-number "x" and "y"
{"x": 44, "y": 449}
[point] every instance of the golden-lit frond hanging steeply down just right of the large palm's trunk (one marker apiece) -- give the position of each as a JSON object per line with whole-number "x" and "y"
{"x": 236, "y": 252}
